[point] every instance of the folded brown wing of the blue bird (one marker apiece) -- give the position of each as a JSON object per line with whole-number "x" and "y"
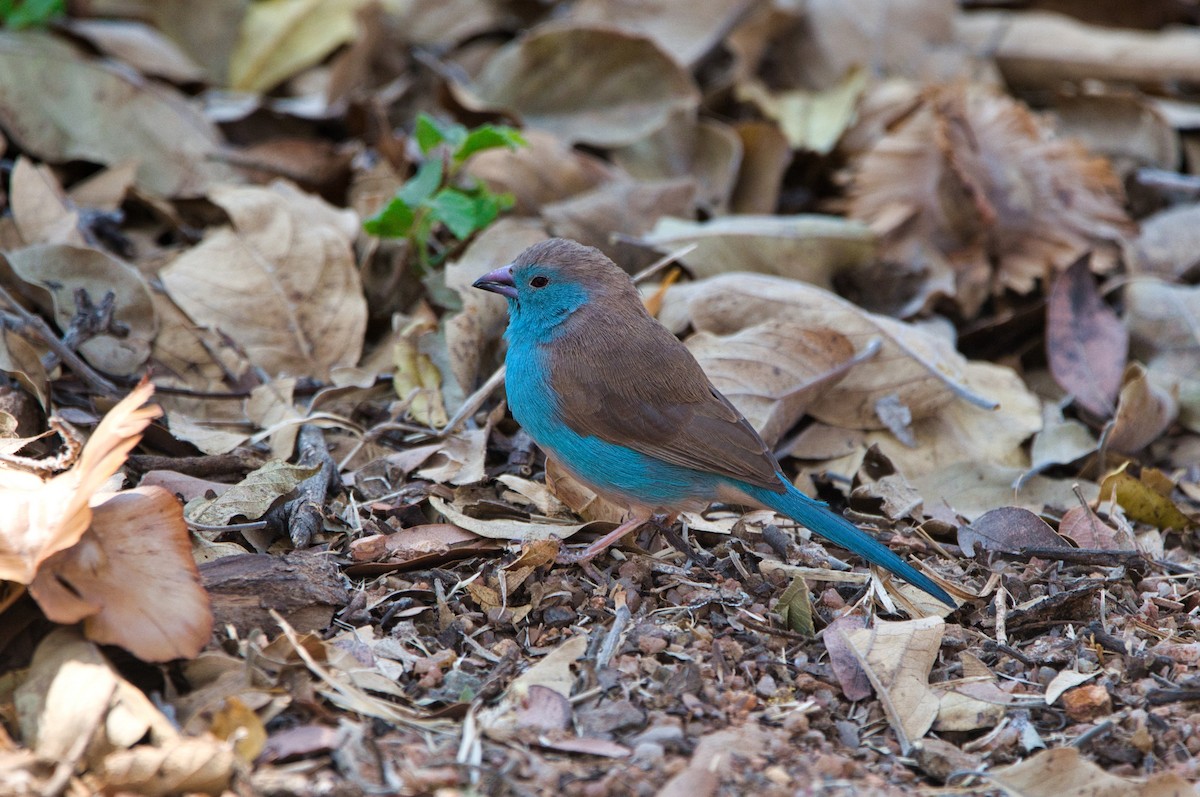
{"x": 627, "y": 380}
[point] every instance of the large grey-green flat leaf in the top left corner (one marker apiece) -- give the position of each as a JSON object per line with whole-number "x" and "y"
{"x": 107, "y": 116}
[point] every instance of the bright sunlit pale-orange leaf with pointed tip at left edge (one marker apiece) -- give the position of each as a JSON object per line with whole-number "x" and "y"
{"x": 39, "y": 519}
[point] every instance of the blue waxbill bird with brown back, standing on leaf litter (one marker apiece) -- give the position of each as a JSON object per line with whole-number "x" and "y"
{"x": 625, "y": 408}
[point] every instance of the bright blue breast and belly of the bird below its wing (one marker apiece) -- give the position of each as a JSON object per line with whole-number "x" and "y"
{"x": 609, "y": 468}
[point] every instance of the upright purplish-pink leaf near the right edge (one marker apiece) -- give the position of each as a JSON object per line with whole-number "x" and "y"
{"x": 1087, "y": 343}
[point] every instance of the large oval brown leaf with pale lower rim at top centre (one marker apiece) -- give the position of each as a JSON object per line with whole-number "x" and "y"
{"x": 593, "y": 86}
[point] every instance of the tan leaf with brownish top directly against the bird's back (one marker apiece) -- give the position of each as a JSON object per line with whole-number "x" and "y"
{"x": 773, "y": 371}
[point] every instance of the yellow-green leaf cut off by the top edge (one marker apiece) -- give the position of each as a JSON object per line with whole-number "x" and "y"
{"x": 281, "y": 38}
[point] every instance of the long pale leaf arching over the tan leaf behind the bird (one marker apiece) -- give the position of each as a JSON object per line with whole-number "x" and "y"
{"x": 921, "y": 369}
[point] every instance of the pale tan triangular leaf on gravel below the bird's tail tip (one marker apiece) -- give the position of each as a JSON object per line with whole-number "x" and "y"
{"x": 898, "y": 660}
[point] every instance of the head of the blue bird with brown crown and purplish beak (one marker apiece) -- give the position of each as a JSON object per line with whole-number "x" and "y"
{"x": 550, "y": 281}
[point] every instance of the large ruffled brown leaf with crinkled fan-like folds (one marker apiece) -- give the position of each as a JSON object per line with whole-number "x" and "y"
{"x": 977, "y": 181}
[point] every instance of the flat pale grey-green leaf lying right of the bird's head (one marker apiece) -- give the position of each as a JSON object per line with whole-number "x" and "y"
{"x": 808, "y": 248}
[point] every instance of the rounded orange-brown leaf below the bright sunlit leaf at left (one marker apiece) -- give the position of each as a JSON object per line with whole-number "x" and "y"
{"x": 131, "y": 579}
